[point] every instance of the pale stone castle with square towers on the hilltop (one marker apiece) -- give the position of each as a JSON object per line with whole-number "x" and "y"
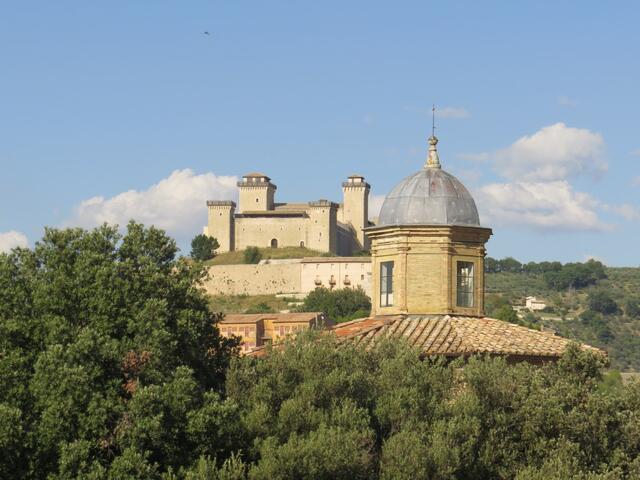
{"x": 319, "y": 225}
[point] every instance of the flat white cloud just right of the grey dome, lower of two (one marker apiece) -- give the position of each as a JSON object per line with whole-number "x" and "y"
{"x": 542, "y": 205}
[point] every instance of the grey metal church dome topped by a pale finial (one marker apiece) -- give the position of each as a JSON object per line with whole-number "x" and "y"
{"x": 429, "y": 197}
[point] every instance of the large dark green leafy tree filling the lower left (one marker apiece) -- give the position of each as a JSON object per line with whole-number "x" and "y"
{"x": 107, "y": 349}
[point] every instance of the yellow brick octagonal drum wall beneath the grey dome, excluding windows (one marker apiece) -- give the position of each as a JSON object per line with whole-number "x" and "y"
{"x": 424, "y": 276}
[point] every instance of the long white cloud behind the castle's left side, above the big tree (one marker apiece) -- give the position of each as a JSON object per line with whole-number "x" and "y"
{"x": 176, "y": 203}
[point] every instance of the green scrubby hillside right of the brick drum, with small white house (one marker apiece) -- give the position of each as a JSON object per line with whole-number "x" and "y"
{"x": 605, "y": 312}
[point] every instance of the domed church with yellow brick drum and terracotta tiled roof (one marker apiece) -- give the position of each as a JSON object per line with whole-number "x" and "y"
{"x": 427, "y": 265}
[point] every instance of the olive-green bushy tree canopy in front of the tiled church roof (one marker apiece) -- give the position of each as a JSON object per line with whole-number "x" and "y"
{"x": 314, "y": 410}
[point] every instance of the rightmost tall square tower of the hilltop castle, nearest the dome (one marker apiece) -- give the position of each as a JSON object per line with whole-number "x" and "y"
{"x": 356, "y": 209}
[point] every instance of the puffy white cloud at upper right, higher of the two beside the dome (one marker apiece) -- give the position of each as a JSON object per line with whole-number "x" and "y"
{"x": 552, "y": 153}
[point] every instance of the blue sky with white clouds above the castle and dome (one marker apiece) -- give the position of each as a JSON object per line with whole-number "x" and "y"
{"x": 111, "y": 110}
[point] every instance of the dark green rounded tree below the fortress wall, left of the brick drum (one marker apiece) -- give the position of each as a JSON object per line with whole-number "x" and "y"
{"x": 340, "y": 305}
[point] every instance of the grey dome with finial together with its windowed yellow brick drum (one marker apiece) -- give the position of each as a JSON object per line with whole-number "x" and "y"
{"x": 428, "y": 247}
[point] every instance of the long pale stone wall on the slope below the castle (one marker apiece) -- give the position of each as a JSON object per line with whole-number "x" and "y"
{"x": 290, "y": 277}
